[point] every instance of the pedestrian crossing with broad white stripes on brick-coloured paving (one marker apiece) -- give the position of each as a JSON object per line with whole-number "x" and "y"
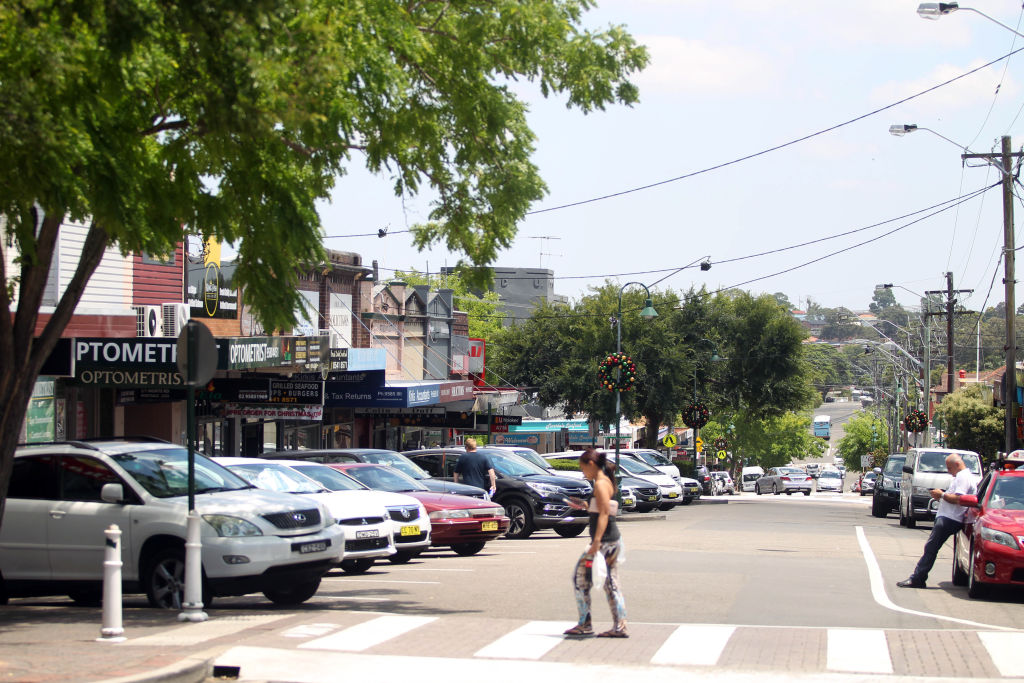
{"x": 881, "y": 653}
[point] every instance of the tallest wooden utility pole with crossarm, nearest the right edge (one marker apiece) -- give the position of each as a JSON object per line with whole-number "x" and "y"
{"x": 1004, "y": 162}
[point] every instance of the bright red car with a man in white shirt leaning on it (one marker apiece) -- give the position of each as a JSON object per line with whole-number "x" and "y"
{"x": 990, "y": 549}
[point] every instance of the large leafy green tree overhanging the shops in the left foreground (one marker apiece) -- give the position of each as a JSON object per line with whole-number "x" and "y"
{"x": 234, "y": 119}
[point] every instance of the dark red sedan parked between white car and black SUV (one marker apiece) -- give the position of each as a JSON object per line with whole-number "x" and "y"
{"x": 460, "y": 522}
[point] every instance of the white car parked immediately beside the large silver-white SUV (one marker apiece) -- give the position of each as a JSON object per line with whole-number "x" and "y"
{"x": 359, "y": 509}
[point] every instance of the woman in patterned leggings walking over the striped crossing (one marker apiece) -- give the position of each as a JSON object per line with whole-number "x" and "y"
{"x": 606, "y": 540}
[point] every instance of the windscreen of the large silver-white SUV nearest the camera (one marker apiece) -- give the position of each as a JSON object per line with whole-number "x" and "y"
{"x": 164, "y": 474}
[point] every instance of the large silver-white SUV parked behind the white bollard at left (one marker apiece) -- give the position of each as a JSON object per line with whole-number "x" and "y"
{"x": 64, "y": 496}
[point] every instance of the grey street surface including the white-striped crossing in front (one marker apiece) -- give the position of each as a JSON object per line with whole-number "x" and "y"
{"x": 783, "y": 587}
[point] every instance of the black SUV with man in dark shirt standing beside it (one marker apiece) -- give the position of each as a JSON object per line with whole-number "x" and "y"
{"x": 532, "y": 498}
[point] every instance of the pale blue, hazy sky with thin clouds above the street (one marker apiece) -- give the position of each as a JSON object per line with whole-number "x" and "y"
{"x": 730, "y": 79}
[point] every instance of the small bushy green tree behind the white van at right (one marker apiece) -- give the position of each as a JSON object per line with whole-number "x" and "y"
{"x": 972, "y": 423}
